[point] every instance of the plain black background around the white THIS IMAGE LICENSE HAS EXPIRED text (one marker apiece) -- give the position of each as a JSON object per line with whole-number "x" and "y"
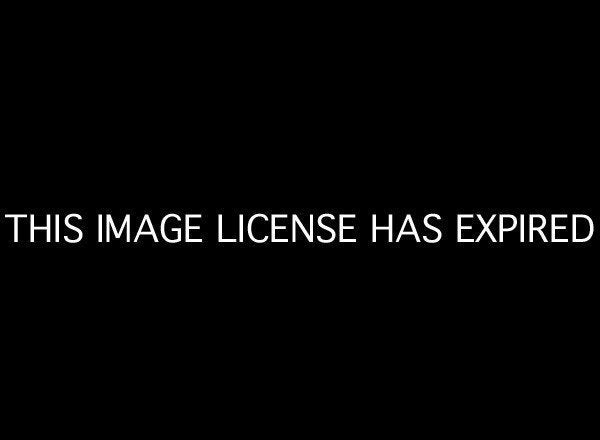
{"x": 368, "y": 113}
